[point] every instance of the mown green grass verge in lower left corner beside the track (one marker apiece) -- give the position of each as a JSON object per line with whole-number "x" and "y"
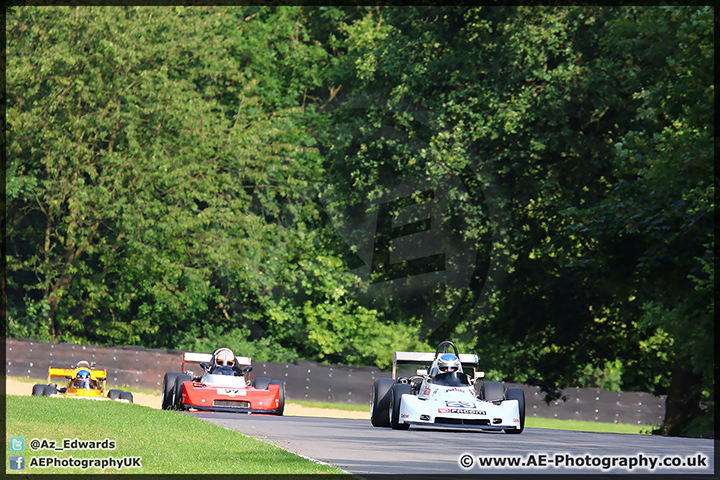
{"x": 166, "y": 441}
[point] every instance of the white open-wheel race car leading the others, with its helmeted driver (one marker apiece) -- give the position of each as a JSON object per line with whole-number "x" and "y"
{"x": 445, "y": 396}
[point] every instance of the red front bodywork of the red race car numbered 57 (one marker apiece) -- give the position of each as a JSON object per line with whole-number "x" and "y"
{"x": 200, "y": 396}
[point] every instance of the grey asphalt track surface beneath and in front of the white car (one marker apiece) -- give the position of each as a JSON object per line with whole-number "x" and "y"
{"x": 358, "y": 448}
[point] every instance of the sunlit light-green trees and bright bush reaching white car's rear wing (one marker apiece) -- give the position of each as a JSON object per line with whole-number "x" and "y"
{"x": 162, "y": 184}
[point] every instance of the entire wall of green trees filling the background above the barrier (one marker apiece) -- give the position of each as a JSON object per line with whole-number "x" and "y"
{"x": 275, "y": 178}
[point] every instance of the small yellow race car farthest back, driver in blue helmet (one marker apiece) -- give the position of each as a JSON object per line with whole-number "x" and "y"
{"x": 83, "y": 381}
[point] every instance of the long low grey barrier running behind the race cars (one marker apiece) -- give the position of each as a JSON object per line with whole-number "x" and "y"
{"x": 144, "y": 368}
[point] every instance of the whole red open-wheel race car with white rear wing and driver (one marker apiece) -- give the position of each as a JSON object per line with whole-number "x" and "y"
{"x": 224, "y": 385}
